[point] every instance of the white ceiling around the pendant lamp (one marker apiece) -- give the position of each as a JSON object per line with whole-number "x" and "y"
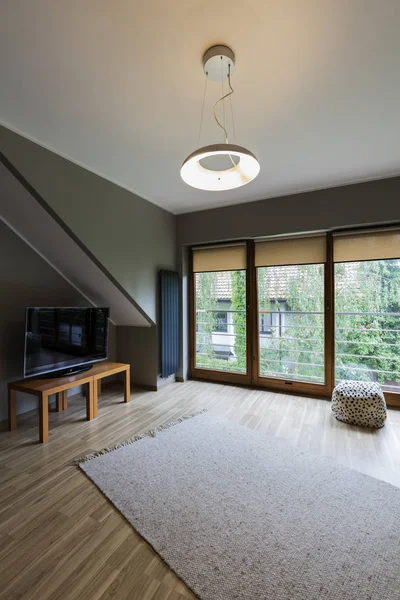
{"x": 117, "y": 87}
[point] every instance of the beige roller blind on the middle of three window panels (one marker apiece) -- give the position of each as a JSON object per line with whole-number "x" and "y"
{"x": 300, "y": 251}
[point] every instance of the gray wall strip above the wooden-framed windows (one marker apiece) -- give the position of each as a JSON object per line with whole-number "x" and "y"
{"x": 345, "y": 206}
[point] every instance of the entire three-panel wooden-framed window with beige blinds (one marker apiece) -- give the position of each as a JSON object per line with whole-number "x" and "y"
{"x": 305, "y": 312}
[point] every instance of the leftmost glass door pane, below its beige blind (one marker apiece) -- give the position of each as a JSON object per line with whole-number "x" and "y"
{"x": 220, "y": 321}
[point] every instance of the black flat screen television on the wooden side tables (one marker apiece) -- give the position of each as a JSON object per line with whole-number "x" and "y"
{"x": 64, "y": 340}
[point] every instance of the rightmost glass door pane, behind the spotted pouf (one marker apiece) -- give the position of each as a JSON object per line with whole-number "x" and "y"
{"x": 367, "y": 322}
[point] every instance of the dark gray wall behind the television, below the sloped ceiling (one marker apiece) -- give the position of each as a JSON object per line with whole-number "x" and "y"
{"x": 26, "y": 280}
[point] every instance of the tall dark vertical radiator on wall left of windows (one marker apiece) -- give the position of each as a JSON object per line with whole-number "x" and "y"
{"x": 169, "y": 322}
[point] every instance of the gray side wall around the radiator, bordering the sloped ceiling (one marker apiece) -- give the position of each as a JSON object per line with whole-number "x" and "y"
{"x": 131, "y": 237}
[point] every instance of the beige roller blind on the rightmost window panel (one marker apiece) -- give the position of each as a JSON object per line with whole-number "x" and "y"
{"x": 366, "y": 246}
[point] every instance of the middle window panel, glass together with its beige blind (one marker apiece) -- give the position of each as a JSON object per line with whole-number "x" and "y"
{"x": 291, "y": 296}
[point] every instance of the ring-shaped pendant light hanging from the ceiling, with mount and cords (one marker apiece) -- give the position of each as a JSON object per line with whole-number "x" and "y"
{"x": 218, "y": 65}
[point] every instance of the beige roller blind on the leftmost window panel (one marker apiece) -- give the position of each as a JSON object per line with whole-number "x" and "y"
{"x": 219, "y": 258}
